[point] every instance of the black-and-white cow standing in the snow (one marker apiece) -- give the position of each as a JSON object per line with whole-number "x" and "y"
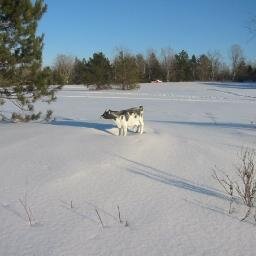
{"x": 128, "y": 118}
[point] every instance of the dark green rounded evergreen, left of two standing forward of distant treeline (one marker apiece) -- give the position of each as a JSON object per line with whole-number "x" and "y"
{"x": 99, "y": 70}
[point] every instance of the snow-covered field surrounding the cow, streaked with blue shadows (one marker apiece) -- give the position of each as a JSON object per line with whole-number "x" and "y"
{"x": 161, "y": 180}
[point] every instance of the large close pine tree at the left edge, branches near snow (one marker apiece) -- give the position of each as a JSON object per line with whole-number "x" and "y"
{"x": 22, "y": 80}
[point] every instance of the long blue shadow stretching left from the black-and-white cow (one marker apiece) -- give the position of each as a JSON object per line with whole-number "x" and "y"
{"x": 84, "y": 124}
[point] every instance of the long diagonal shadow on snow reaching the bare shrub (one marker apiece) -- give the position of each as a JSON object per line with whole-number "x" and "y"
{"x": 171, "y": 180}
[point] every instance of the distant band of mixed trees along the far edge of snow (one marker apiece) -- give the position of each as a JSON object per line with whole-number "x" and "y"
{"x": 126, "y": 70}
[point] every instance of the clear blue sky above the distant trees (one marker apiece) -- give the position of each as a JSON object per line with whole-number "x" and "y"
{"x": 82, "y": 27}
